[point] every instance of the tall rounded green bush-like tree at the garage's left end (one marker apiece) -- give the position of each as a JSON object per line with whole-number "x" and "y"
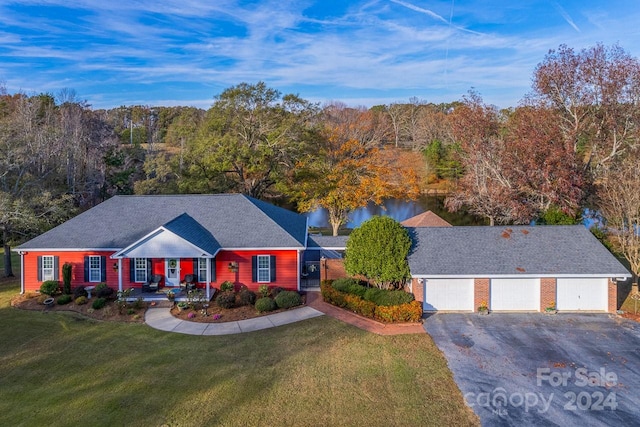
{"x": 378, "y": 250}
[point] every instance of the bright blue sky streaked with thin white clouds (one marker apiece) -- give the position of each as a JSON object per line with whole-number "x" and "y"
{"x": 184, "y": 52}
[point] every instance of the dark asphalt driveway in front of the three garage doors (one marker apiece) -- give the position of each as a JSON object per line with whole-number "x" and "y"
{"x": 537, "y": 369}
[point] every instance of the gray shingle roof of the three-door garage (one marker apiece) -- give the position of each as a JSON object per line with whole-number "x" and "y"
{"x": 510, "y": 251}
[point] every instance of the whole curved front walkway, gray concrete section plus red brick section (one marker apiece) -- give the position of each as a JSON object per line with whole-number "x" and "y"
{"x": 160, "y": 318}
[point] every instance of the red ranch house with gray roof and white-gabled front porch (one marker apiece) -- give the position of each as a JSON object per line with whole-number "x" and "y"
{"x": 131, "y": 241}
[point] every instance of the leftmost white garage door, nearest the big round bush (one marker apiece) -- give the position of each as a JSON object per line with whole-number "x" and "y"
{"x": 448, "y": 294}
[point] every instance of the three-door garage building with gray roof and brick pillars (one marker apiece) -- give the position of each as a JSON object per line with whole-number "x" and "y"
{"x": 513, "y": 268}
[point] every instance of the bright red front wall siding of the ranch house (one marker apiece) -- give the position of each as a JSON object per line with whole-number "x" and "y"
{"x": 286, "y": 268}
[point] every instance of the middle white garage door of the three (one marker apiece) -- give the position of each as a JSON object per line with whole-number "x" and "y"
{"x": 515, "y": 294}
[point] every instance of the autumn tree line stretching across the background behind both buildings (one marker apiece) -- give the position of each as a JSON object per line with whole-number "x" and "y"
{"x": 571, "y": 144}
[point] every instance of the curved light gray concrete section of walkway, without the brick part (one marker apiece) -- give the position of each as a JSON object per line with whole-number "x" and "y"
{"x": 160, "y": 318}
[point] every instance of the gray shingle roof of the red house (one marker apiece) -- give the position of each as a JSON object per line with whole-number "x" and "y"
{"x": 233, "y": 220}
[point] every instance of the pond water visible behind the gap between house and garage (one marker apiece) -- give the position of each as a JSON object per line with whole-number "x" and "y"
{"x": 398, "y": 210}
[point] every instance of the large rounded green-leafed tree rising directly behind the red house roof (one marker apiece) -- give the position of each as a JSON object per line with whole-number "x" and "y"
{"x": 251, "y": 138}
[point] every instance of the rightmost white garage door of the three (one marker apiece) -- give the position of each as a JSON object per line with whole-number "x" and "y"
{"x": 582, "y": 294}
